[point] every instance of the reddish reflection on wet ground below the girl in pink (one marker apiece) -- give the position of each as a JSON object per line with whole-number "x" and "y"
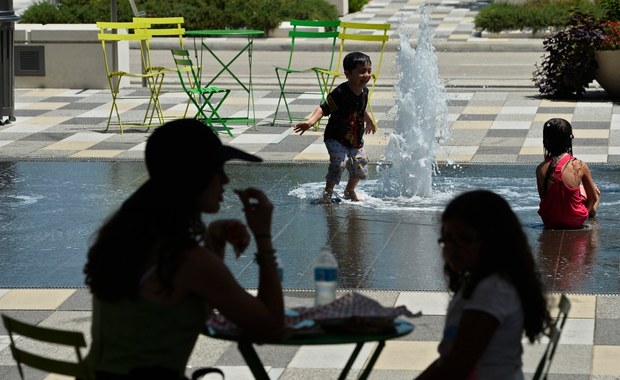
{"x": 566, "y": 257}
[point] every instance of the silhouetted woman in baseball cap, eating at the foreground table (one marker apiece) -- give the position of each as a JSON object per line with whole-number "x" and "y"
{"x": 156, "y": 271}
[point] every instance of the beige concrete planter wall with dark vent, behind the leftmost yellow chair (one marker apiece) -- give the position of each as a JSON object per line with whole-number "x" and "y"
{"x": 62, "y": 56}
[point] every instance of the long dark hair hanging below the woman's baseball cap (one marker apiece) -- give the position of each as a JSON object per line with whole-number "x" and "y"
{"x": 149, "y": 230}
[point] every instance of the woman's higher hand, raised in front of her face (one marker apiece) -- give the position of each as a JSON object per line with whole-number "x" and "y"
{"x": 258, "y": 211}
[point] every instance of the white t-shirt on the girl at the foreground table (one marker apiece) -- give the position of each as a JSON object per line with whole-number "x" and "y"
{"x": 498, "y": 297}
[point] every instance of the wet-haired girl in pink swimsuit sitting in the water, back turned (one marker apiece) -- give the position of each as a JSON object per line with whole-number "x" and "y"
{"x": 568, "y": 195}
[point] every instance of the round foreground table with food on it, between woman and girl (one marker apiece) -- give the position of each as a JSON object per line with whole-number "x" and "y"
{"x": 326, "y": 337}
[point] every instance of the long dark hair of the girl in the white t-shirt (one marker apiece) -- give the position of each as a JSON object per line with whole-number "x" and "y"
{"x": 504, "y": 249}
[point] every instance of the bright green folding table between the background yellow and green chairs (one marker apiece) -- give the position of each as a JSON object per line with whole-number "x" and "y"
{"x": 226, "y": 66}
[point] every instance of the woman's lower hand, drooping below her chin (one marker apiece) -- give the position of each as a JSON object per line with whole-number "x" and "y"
{"x": 224, "y": 231}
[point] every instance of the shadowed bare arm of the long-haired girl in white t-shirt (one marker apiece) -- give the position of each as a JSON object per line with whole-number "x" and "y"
{"x": 476, "y": 328}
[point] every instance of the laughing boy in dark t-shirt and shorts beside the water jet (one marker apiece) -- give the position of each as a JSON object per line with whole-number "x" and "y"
{"x": 348, "y": 122}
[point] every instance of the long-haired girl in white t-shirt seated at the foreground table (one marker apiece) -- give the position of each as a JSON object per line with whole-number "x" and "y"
{"x": 496, "y": 291}
